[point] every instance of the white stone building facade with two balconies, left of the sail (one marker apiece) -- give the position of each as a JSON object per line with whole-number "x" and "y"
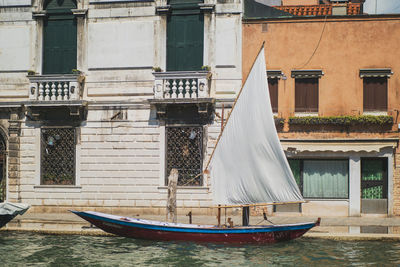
{"x": 97, "y": 97}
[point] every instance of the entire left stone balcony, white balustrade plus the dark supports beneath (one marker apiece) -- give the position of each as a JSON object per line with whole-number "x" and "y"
{"x": 60, "y": 91}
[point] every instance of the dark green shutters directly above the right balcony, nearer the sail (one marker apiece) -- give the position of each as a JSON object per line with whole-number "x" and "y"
{"x": 185, "y": 35}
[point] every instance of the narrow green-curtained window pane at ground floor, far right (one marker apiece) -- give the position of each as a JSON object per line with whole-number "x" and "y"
{"x": 374, "y": 178}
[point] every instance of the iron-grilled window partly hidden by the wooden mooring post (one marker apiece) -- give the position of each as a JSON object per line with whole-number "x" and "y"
{"x": 184, "y": 152}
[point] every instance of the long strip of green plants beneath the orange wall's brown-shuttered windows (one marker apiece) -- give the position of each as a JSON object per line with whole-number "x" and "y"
{"x": 342, "y": 120}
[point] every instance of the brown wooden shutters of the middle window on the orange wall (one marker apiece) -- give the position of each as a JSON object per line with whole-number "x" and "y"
{"x": 306, "y": 95}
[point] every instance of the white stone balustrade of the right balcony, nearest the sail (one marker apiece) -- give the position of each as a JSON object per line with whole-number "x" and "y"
{"x": 181, "y": 84}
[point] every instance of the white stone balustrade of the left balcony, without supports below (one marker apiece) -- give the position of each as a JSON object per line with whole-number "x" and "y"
{"x": 65, "y": 87}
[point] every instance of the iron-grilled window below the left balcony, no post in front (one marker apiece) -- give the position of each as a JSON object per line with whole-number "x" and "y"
{"x": 58, "y": 156}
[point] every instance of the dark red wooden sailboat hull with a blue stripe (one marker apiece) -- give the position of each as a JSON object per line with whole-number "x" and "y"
{"x": 141, "y": 229}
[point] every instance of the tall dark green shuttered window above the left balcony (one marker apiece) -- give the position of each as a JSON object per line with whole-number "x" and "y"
{"x": 59, "y": 37}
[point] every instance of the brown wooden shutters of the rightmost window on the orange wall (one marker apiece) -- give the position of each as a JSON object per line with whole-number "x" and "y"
{"x": 375, "y": 93}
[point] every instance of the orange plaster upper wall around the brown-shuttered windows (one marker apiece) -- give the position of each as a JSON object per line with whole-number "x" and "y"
{"x": 345, "y": 46}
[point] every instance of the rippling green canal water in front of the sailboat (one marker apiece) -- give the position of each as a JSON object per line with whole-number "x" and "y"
{"x": 29, "y": 249}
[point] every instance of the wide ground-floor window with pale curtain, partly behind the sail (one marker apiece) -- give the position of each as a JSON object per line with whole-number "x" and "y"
{"x": 321, "y": 178}
